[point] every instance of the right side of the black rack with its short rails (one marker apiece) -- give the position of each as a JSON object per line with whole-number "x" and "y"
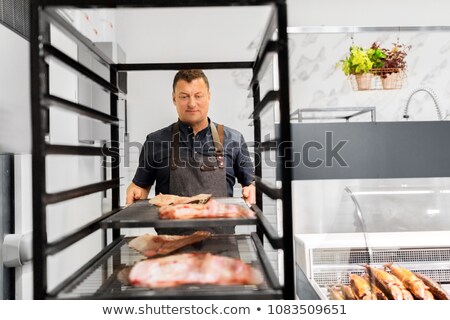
{"x": 278, "y": 26}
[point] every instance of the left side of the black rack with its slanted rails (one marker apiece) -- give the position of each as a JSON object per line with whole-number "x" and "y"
{"x": 42, "y": 49}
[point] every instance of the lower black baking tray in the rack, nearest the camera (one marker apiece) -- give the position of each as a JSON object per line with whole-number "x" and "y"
{"x": 99, "y": 278}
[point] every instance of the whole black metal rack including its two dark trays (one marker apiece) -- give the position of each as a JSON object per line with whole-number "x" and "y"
{"x": 98, "y": 277}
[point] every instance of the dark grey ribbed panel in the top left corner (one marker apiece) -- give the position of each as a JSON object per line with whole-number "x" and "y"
{"x": 15, "y": 14}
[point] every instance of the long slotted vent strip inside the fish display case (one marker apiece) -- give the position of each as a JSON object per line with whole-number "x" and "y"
{"x": 361, "y": 256}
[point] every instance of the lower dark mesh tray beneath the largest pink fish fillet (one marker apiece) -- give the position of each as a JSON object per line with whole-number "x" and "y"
{"x": 102, "y": 280}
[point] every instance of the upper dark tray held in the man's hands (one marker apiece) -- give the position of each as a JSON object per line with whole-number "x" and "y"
{"x": 143, "y": 214}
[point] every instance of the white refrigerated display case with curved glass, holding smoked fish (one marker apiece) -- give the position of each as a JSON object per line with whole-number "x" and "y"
{"x": 407, "y": 224}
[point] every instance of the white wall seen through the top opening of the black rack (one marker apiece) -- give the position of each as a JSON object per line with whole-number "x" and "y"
{"x": 190, "y": 34}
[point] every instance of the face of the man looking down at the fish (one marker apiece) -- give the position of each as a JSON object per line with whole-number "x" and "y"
{"x": 192, "y": 101}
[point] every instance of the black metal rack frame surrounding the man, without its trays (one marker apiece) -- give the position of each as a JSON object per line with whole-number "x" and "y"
{"x": 43, "y": 14}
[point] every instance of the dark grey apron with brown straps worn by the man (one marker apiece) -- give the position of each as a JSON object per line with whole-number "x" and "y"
{"x": 198, "y": 174}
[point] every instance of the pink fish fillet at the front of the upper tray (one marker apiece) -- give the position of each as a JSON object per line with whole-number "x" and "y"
{"x": 213, "y": 209}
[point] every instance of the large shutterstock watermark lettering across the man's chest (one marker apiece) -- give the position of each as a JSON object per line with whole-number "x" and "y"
{"x": 328, "y": 152}
